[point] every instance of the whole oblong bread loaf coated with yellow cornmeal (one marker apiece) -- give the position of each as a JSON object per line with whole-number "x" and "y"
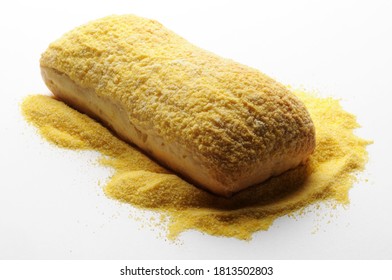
{"x": 219, "y": 124}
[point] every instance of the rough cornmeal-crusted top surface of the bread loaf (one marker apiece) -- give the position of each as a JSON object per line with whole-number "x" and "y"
{"x": 229, "y": 114}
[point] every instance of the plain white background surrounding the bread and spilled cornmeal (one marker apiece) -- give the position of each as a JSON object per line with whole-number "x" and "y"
{"x": 51, "y": 206}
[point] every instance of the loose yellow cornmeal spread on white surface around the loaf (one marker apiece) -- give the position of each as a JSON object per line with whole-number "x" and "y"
{"x": 143, "y": 183}
